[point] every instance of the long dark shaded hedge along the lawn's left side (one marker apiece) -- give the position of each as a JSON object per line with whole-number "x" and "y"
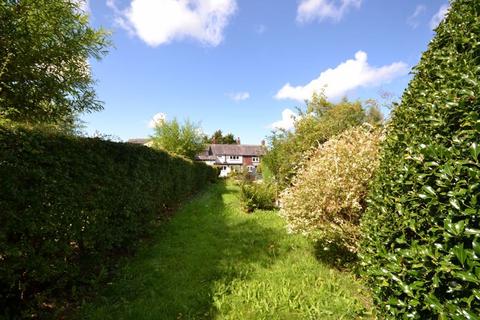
{"x": 68, "y": 202}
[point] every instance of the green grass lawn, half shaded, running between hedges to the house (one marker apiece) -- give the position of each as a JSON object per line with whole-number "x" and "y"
{"x": 212, "y": 261}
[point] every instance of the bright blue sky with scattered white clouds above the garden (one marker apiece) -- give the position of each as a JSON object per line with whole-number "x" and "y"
{"x": 237, "y": 65}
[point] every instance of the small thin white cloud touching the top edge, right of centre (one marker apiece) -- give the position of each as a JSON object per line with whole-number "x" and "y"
{"x": 309, "y": 10}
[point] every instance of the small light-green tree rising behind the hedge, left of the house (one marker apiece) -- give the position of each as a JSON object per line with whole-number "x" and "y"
{"x": 184, "y": 139}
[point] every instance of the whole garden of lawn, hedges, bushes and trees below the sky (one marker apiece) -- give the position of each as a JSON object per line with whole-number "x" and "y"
{"x": 357, "y": 216}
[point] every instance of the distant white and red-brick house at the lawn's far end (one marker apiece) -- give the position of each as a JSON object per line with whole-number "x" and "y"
{"x": 233, "y": 157}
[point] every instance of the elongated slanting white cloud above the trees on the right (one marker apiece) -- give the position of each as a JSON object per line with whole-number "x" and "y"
{"x": 347, "y": 76}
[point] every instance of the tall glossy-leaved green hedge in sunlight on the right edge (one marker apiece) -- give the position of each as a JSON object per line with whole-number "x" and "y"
{"x": 422, "y": 229}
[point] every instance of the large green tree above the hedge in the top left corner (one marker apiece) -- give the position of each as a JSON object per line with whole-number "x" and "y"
{"x": 44, "y": 71}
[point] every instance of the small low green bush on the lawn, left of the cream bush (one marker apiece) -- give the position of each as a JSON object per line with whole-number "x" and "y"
{"x": 258, "y": 196}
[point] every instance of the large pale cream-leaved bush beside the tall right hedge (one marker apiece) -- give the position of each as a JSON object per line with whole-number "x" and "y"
{"x": 327, "y": 197}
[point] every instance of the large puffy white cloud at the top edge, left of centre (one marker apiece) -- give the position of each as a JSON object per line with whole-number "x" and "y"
{"x": 161, "y": 22}
